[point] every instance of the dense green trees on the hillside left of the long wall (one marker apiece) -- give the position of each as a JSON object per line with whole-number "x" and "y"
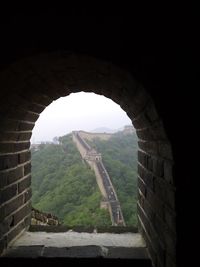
{"x": 64, "y": 185}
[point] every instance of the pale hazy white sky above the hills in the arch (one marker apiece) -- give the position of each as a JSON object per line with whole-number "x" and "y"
{"x": 78, "y": 111}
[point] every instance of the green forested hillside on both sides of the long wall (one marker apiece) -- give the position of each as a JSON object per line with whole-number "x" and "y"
{"x": 64, "y": 185}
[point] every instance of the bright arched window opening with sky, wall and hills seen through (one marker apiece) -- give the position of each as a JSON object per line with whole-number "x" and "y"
{"x": 84, "y": 164}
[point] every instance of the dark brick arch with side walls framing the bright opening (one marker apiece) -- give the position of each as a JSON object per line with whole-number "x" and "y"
{"x": 31, "y": 85}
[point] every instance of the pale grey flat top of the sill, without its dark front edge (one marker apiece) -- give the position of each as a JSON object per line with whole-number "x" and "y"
{"x": 71, "y": 238}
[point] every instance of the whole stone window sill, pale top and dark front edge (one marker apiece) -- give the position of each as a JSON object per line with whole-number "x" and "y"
{"x": 74, "y": 245}
